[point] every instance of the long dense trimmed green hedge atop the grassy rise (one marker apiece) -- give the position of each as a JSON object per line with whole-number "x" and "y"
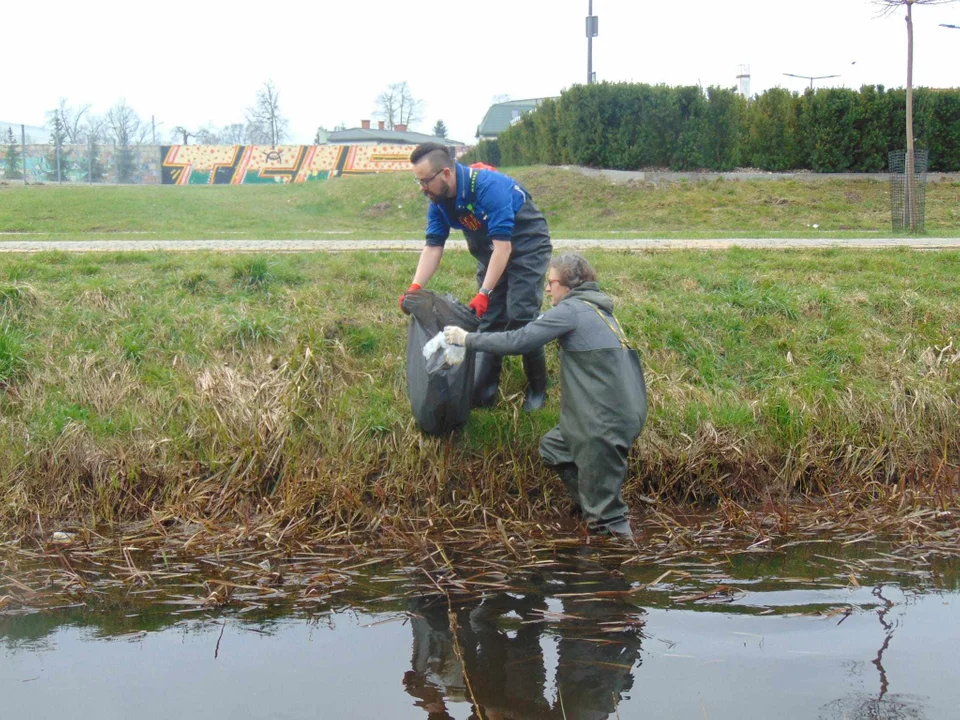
{"x": 628, "y": 126}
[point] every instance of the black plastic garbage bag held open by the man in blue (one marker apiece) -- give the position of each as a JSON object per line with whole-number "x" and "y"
{"x": 440, "y": 394}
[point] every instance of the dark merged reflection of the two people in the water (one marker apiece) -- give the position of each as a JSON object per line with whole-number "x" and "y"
{"x": 500, "y": 640}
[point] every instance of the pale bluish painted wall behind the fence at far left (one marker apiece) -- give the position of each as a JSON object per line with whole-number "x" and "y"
{"x": 90, "y": 163}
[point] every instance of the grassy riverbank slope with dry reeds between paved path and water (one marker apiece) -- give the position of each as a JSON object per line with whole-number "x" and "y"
{"x": 228, "y": 389}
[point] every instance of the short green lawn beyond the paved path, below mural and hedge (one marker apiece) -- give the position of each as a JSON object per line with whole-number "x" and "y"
{"x": 390, "y": 206}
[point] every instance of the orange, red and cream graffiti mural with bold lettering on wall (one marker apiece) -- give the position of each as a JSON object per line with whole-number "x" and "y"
{"x": 251, "y": 164}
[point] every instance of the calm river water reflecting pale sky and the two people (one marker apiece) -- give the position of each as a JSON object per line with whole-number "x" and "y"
{"x": 817, "y": 630}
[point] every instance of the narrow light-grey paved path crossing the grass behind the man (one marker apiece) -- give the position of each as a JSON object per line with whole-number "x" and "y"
{"x": 26, "y": 246}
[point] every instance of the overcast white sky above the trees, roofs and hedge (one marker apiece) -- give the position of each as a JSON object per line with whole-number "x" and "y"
{"x": 199, "y": 62}
